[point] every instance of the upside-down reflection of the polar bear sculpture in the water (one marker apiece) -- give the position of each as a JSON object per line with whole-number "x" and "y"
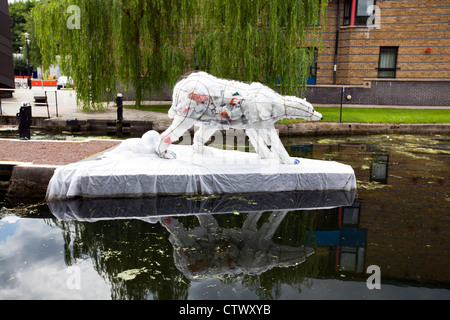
{"x": 209, "y": 250}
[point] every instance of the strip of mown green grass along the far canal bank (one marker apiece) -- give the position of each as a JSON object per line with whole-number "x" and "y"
{"x": 365, "y": 115}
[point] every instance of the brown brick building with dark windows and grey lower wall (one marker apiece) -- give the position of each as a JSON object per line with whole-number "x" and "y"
{"x": 385, "y": 52}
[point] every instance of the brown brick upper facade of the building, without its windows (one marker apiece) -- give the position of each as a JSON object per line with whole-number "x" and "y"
{"x": 412, "y": 25}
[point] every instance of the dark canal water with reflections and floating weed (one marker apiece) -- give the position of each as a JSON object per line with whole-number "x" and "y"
{"x": 390, "y": 240}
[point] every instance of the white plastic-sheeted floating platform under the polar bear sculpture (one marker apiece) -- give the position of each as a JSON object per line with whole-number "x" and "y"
{"x": 133, "y": 169}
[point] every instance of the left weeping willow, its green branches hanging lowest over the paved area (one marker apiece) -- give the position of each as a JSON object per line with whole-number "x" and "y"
{"x": 103, "y": 43}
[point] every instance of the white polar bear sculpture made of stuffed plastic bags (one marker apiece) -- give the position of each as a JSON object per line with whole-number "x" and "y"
{"x": 218, "y": 104}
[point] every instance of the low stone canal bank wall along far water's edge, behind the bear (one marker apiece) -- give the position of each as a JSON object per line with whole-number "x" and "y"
{"x": 160, "y": 122}
